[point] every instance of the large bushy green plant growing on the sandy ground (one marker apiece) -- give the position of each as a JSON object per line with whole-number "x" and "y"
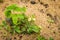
{"x": 18, "y": 23}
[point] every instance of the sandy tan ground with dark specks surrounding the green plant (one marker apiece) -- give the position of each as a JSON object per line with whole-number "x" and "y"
{"x": 42, "y": 9}
